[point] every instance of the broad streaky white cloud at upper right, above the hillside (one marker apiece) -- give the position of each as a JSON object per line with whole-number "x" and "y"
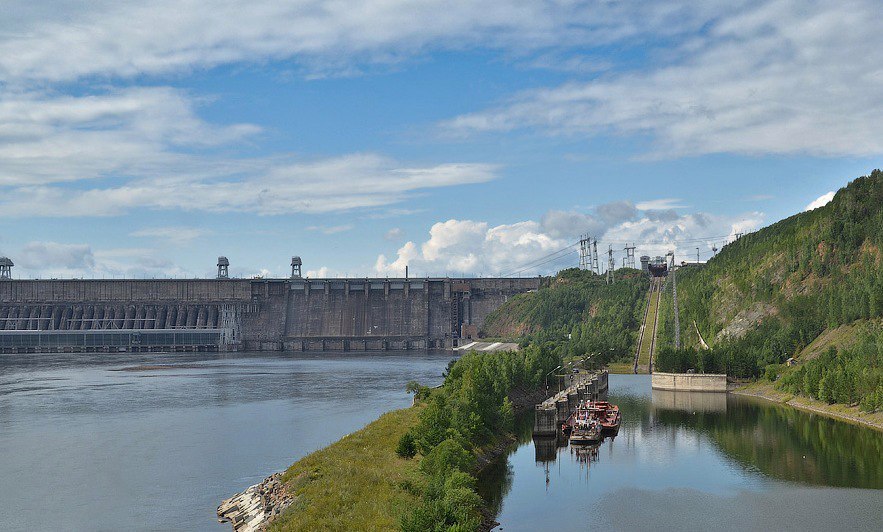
{"x": 782, "y": 77}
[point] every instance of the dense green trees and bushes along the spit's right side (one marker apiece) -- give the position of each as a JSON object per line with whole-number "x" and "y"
{"x": 471, "y": 410}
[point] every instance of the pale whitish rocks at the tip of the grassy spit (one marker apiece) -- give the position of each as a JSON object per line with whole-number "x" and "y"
{"x": 253, "y": 509}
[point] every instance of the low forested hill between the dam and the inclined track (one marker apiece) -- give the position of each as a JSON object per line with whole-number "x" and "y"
{"x": 578, "y": 312}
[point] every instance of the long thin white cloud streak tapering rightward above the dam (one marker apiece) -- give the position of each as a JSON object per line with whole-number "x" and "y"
{"x": 330, "y": 185}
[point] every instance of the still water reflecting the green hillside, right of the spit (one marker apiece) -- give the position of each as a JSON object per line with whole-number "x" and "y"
{"x": 695, "y": 462}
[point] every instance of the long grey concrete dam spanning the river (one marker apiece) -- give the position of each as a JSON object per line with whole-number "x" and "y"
{"x": 295, "y": 314}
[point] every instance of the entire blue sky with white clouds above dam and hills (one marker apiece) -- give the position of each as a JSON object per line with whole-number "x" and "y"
{"x": 146, "y": 138}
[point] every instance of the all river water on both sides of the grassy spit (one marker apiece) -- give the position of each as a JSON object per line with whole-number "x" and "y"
{"x": 155, "y": 442}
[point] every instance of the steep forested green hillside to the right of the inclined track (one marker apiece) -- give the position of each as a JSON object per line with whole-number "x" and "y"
{"x": 772, "y": 293}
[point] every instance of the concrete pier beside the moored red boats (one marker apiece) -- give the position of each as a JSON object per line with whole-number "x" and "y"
{"x": 549, "y": 414}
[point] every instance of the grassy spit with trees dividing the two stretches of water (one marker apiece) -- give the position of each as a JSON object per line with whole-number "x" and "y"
{"x": 412, "y": 469}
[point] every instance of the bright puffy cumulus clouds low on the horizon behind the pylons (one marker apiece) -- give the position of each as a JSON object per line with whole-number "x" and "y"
{"x": 467, "y": 247}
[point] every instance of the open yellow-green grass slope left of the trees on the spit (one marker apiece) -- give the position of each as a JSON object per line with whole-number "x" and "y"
{"x": 357, "y": 483}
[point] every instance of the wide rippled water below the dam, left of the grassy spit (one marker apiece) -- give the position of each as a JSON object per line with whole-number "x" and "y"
{"x": 86, "y": 446}
